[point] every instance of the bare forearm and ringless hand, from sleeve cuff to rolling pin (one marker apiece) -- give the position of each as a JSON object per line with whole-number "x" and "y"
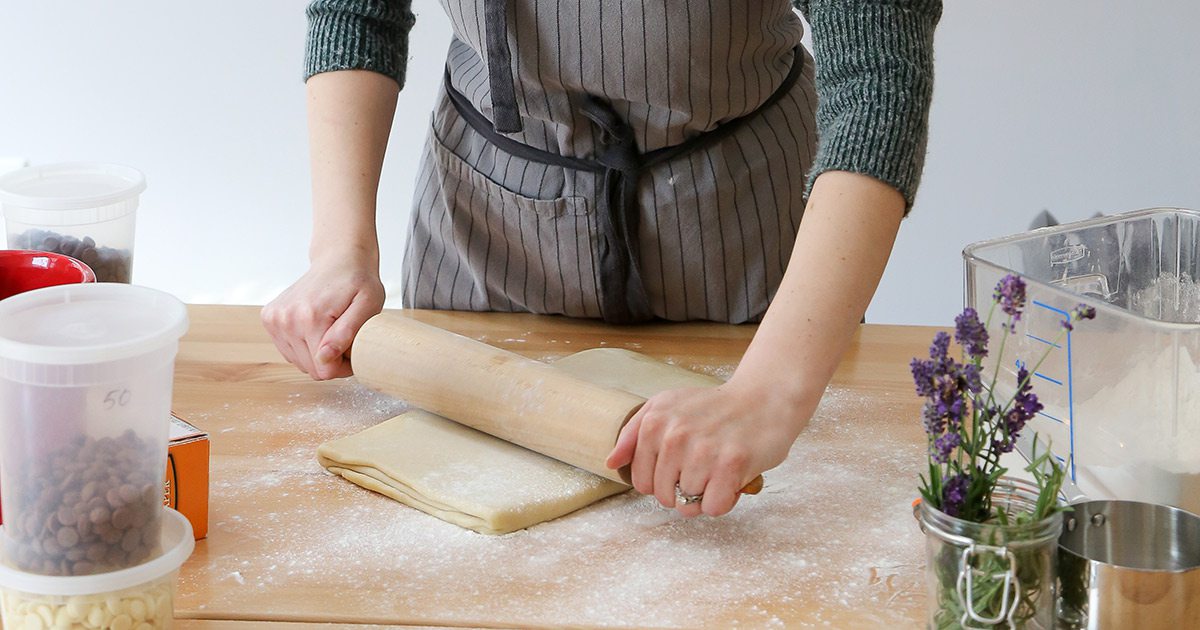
{"x": 314, "y": 322}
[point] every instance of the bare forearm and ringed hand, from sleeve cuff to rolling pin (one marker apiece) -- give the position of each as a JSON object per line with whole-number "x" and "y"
{"x": 713, "y": 442}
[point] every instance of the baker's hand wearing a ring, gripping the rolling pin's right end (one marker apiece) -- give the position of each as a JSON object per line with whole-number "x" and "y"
{"x": 711, "y": 442}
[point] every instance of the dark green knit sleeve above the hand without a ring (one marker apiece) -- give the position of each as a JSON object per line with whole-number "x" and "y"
{"x": 359, "y": 35}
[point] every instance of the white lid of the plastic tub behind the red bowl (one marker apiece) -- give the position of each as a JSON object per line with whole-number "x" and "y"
{"x": 70, "y": 194}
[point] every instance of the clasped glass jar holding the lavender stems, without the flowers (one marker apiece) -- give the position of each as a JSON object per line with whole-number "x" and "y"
{"x": 992, "y": 575}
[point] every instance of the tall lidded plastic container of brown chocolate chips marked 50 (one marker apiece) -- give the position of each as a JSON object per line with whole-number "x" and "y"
{"x": 86, "y": 386}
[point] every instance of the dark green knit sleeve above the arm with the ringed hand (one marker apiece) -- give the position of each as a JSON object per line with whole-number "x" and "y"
{"x": 874, "y": 80}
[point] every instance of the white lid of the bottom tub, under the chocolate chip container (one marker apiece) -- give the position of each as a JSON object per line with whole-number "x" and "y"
{"x": 178, "y": 542}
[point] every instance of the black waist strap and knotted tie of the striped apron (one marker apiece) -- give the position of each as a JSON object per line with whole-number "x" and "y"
{"x": 622, "y": 293}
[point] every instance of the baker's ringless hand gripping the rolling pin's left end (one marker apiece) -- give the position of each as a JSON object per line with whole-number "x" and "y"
{"x": 315, "y": 321}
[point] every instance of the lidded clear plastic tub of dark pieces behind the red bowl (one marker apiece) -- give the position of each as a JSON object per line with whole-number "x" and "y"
{"x": 82, "y": 211}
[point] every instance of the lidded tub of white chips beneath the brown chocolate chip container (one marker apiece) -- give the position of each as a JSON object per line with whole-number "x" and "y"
{"x": 139, "y": 598}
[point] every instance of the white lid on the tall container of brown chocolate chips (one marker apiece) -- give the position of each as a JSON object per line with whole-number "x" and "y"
{"x": 83, "y": 325}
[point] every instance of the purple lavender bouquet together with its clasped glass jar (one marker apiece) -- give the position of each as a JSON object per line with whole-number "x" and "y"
{"x": 991, "y": 539}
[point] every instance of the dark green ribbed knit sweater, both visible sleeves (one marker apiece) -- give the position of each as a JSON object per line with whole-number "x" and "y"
{"x": 874, "y": 74}
